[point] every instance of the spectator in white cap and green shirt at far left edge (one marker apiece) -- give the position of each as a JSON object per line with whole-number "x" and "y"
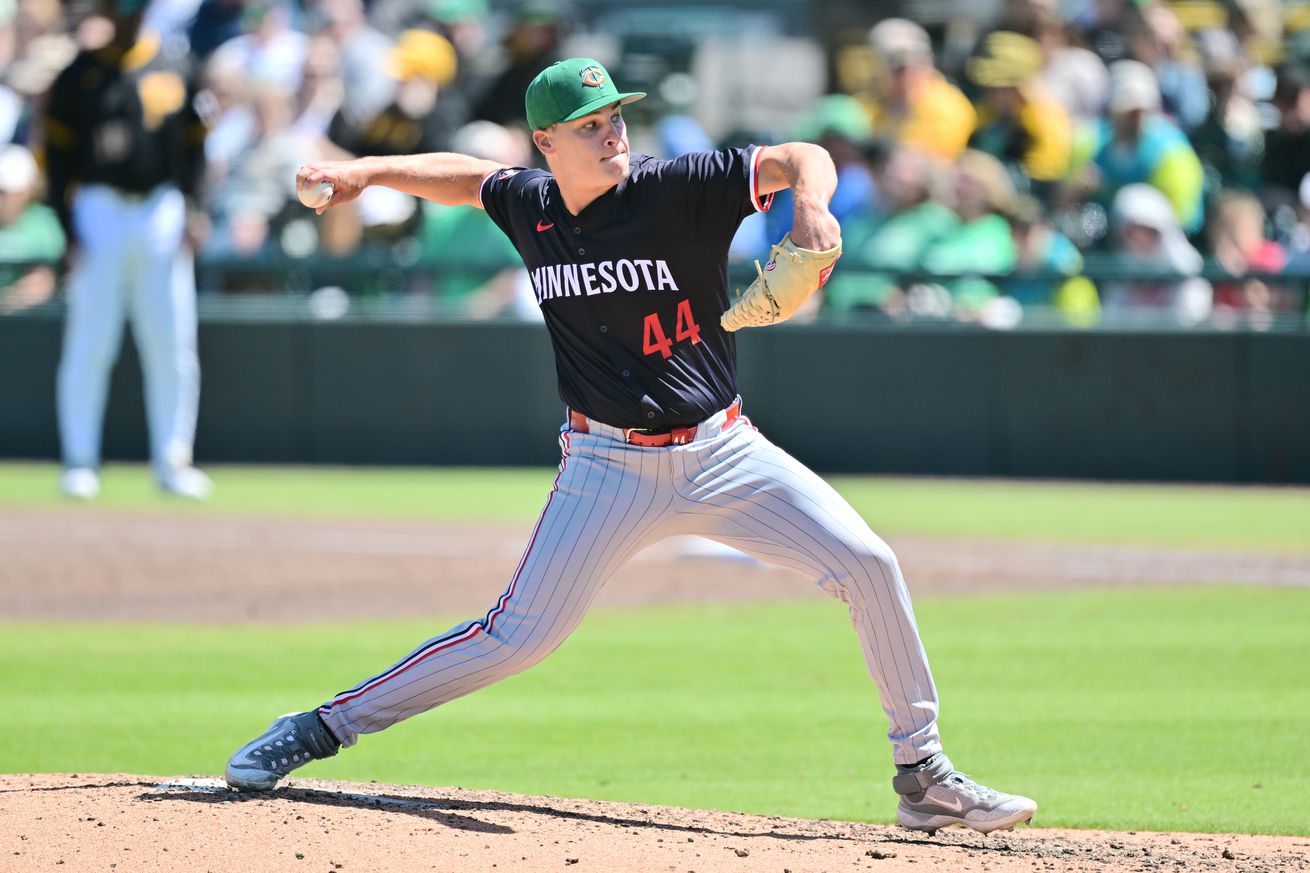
{"x": 32, "y": 242}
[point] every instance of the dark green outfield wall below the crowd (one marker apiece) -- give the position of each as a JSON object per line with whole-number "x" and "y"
{"x": 1144, "y": 407}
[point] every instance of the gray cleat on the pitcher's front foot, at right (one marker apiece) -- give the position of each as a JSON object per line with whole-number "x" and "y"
{"x": 935, "y": 796}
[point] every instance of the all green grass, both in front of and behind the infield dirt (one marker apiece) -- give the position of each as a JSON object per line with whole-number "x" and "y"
{"x": 1139, "y": 710}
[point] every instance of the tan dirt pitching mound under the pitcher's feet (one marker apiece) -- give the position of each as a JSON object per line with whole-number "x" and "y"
{"x": 122, "y": 824}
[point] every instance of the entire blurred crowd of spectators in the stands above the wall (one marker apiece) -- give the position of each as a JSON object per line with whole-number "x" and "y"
{"x": 1098, "y": 162}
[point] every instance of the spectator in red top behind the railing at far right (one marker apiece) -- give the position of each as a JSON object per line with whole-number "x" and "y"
{"x": 1236, "y": 235}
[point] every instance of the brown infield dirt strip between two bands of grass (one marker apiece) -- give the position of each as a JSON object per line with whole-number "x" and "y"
{"x": 104, "y": 567}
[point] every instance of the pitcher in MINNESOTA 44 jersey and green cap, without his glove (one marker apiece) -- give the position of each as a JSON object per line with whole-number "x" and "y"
{"x": 628, "y": 256}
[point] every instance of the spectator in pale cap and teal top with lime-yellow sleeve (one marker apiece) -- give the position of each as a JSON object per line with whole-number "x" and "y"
{"x": 1138, "y": 145}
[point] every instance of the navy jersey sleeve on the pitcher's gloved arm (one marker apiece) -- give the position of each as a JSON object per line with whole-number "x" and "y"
{"x": 716, "y": 191}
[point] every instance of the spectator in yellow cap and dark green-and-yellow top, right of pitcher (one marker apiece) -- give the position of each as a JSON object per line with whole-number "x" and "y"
{"x": 1019, "y": 123}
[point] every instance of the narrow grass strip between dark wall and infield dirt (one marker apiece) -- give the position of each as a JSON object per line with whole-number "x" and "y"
{"x": 1197, "y": 517}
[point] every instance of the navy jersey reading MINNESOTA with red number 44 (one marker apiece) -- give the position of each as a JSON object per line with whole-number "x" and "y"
{"x": 633, "y": 288}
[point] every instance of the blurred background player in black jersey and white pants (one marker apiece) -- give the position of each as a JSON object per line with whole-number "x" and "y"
{"x": 124, "y": 150}
